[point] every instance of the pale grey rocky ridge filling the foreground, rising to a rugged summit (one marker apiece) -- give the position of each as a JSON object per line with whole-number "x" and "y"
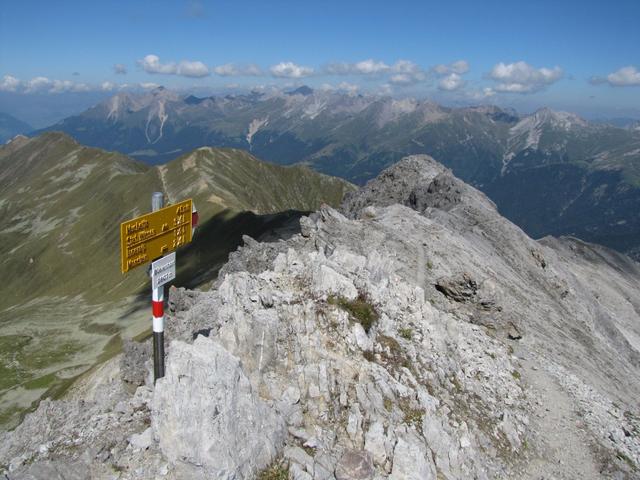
{"x": 413, "y": 334}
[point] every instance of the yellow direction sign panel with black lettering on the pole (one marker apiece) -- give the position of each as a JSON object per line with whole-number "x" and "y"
{"x": 150, "y": 236}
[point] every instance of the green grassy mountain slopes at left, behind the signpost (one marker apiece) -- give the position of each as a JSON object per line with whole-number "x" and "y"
{"x": 63, "y": 300}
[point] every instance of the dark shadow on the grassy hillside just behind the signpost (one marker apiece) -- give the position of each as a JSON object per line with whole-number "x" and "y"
{"x": 199, "y": 262}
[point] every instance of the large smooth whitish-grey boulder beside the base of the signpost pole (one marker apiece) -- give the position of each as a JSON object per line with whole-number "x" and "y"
{"x": 205, "y": 412}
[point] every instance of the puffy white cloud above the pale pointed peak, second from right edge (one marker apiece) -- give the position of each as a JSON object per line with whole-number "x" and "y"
{"x": 520, "y": 77}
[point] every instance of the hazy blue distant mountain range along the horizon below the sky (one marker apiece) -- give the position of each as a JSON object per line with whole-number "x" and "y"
{"x": 549, "y": 172}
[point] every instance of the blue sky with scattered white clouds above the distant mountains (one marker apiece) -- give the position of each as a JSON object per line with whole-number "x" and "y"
{"x": 578, "y": 55}
